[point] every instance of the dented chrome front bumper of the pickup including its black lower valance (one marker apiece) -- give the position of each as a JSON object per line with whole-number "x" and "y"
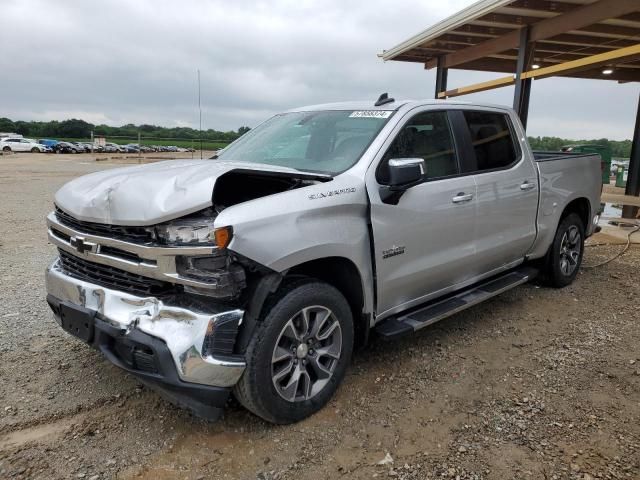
{"x": 182, "y": 350}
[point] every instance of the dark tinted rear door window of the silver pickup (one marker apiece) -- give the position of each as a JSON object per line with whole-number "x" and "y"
{"x": 492, "y": 140}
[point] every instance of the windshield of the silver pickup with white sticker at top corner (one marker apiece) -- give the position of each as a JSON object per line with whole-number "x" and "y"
{"x": 325, "y": 141}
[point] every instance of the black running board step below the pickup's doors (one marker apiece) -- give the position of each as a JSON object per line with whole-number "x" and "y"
{"x": 438, "y": 310}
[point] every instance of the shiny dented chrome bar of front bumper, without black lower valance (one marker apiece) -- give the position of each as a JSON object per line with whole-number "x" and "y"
{"x": 199, "y": 343}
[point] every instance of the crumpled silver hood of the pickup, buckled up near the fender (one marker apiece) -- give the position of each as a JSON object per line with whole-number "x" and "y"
{"x": 147, "y": 194}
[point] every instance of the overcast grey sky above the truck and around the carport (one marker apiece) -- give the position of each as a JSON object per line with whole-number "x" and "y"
{"x": 135, "y": 61}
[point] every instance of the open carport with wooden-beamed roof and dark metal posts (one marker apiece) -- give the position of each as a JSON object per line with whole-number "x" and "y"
{"x": 534, "y": 39}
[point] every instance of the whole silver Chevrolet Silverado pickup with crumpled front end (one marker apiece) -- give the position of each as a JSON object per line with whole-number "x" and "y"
{"x": 258, "y": 271}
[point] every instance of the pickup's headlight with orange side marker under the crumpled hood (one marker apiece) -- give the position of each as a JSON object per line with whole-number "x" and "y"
{"x": 198, "y": 230}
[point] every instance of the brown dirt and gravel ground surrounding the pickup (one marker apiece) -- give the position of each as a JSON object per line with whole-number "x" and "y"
{"x": 535, "y": 384}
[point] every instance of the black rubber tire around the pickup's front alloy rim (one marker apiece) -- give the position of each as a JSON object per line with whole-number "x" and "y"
{"x": 256, "y": 390}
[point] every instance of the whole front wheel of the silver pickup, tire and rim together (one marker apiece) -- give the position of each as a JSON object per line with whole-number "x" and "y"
{"x": 298, "y": 353}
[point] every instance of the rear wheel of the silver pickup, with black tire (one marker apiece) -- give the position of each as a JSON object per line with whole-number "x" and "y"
{"x": 560, "y": 267}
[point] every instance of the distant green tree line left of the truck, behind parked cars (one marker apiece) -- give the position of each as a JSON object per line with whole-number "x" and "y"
{"x": 75, "y": 128}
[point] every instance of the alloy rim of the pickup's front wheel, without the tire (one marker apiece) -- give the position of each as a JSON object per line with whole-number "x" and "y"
{"x": 306, "y": 354}
